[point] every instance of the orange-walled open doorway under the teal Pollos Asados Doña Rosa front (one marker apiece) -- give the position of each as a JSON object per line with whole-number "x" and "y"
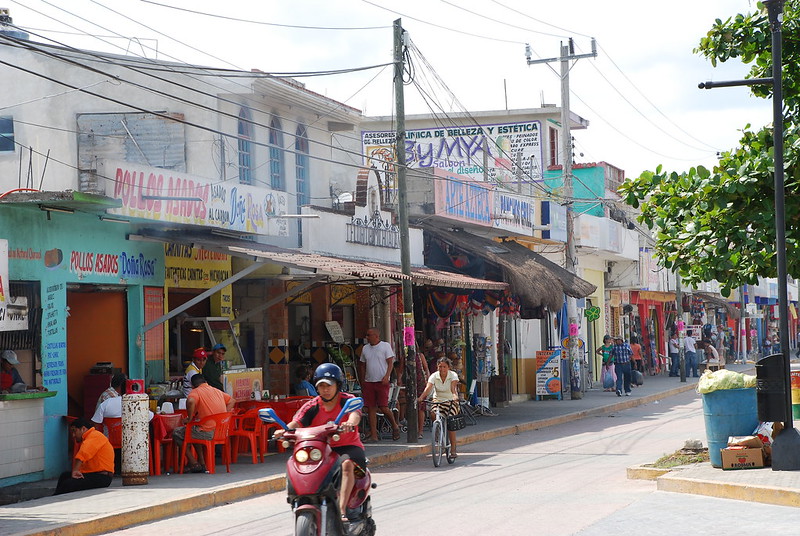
{"x": 96, "y": 332}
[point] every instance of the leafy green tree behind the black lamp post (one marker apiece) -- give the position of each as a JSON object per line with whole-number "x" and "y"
{"x": 720, "y": 224}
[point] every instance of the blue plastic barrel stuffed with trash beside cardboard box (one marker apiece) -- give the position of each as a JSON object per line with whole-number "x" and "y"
{"x": 728, "y": 412}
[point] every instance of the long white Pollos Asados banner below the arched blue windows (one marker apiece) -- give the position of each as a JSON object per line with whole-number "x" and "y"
{"x": 171, "y": 196}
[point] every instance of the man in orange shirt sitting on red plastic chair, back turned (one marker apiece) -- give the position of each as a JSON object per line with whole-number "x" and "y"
{"x": 203, "y": 401}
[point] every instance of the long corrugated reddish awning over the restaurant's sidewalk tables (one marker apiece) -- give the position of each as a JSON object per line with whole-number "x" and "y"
{"x": 335, "y": 269}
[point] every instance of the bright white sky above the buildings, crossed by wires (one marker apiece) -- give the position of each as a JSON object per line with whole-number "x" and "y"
{"x": 639, "y": 94}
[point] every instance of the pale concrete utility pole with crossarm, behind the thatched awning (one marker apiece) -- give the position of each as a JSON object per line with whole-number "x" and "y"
{"x": 576, "y": 364}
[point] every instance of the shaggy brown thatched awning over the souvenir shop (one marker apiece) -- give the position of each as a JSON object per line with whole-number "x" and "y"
{"x": 537, "y": 280}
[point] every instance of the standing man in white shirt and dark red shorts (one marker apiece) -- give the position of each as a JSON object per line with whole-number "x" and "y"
{"x": 375, "y": 368}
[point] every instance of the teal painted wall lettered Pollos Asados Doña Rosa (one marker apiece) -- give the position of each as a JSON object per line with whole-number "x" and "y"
{"x": 75, "y": 248}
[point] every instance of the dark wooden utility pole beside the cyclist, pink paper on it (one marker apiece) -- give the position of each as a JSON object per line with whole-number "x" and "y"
{"x": 405, "y": 256}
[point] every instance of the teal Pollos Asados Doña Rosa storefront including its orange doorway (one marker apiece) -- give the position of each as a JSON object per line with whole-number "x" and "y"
{"x": 86, "y": 286}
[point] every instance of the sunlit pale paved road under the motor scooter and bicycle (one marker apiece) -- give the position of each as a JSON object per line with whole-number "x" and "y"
{"x": 567, "y": 479}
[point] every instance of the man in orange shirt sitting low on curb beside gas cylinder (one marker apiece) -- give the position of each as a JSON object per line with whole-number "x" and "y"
{"x": 93, "y": 466}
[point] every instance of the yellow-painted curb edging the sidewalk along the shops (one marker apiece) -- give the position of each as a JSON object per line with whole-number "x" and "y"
{"x": 247, "y": 489}
